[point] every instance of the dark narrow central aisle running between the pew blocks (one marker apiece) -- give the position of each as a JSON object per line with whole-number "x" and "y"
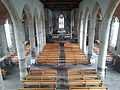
{"x": 62, "y": 82}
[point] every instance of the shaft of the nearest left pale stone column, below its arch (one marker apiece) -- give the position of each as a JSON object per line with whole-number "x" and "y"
{"x": 19, "y": 38}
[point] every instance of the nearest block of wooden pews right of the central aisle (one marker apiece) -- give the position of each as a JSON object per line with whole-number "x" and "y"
{"x": 84, "y": 78}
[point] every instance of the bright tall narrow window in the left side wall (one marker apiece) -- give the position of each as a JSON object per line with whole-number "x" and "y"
{"x": 8, "y": 32}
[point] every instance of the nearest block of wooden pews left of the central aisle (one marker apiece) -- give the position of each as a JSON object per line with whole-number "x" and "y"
{"x": 40, "y": 79}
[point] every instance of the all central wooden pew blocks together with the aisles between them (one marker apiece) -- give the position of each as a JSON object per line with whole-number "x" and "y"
{"x": 57, "y": 73}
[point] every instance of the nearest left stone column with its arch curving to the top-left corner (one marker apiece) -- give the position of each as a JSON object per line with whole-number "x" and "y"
{"x": 19, "y": 42}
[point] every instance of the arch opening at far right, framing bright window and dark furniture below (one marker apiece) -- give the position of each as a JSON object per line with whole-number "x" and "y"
{"x": 113, "y": 50}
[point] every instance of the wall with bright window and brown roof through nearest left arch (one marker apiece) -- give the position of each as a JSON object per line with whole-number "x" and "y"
{"x": 7, "y": 32}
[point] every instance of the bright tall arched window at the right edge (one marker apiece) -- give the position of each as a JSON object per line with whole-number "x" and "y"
{"x": 114, "y": 32}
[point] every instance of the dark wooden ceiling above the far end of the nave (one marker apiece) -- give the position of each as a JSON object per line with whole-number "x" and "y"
{"x": 61, "y": 4}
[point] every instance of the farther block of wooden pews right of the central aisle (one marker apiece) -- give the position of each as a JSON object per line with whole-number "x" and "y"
{"x": 74, "y": 55}
